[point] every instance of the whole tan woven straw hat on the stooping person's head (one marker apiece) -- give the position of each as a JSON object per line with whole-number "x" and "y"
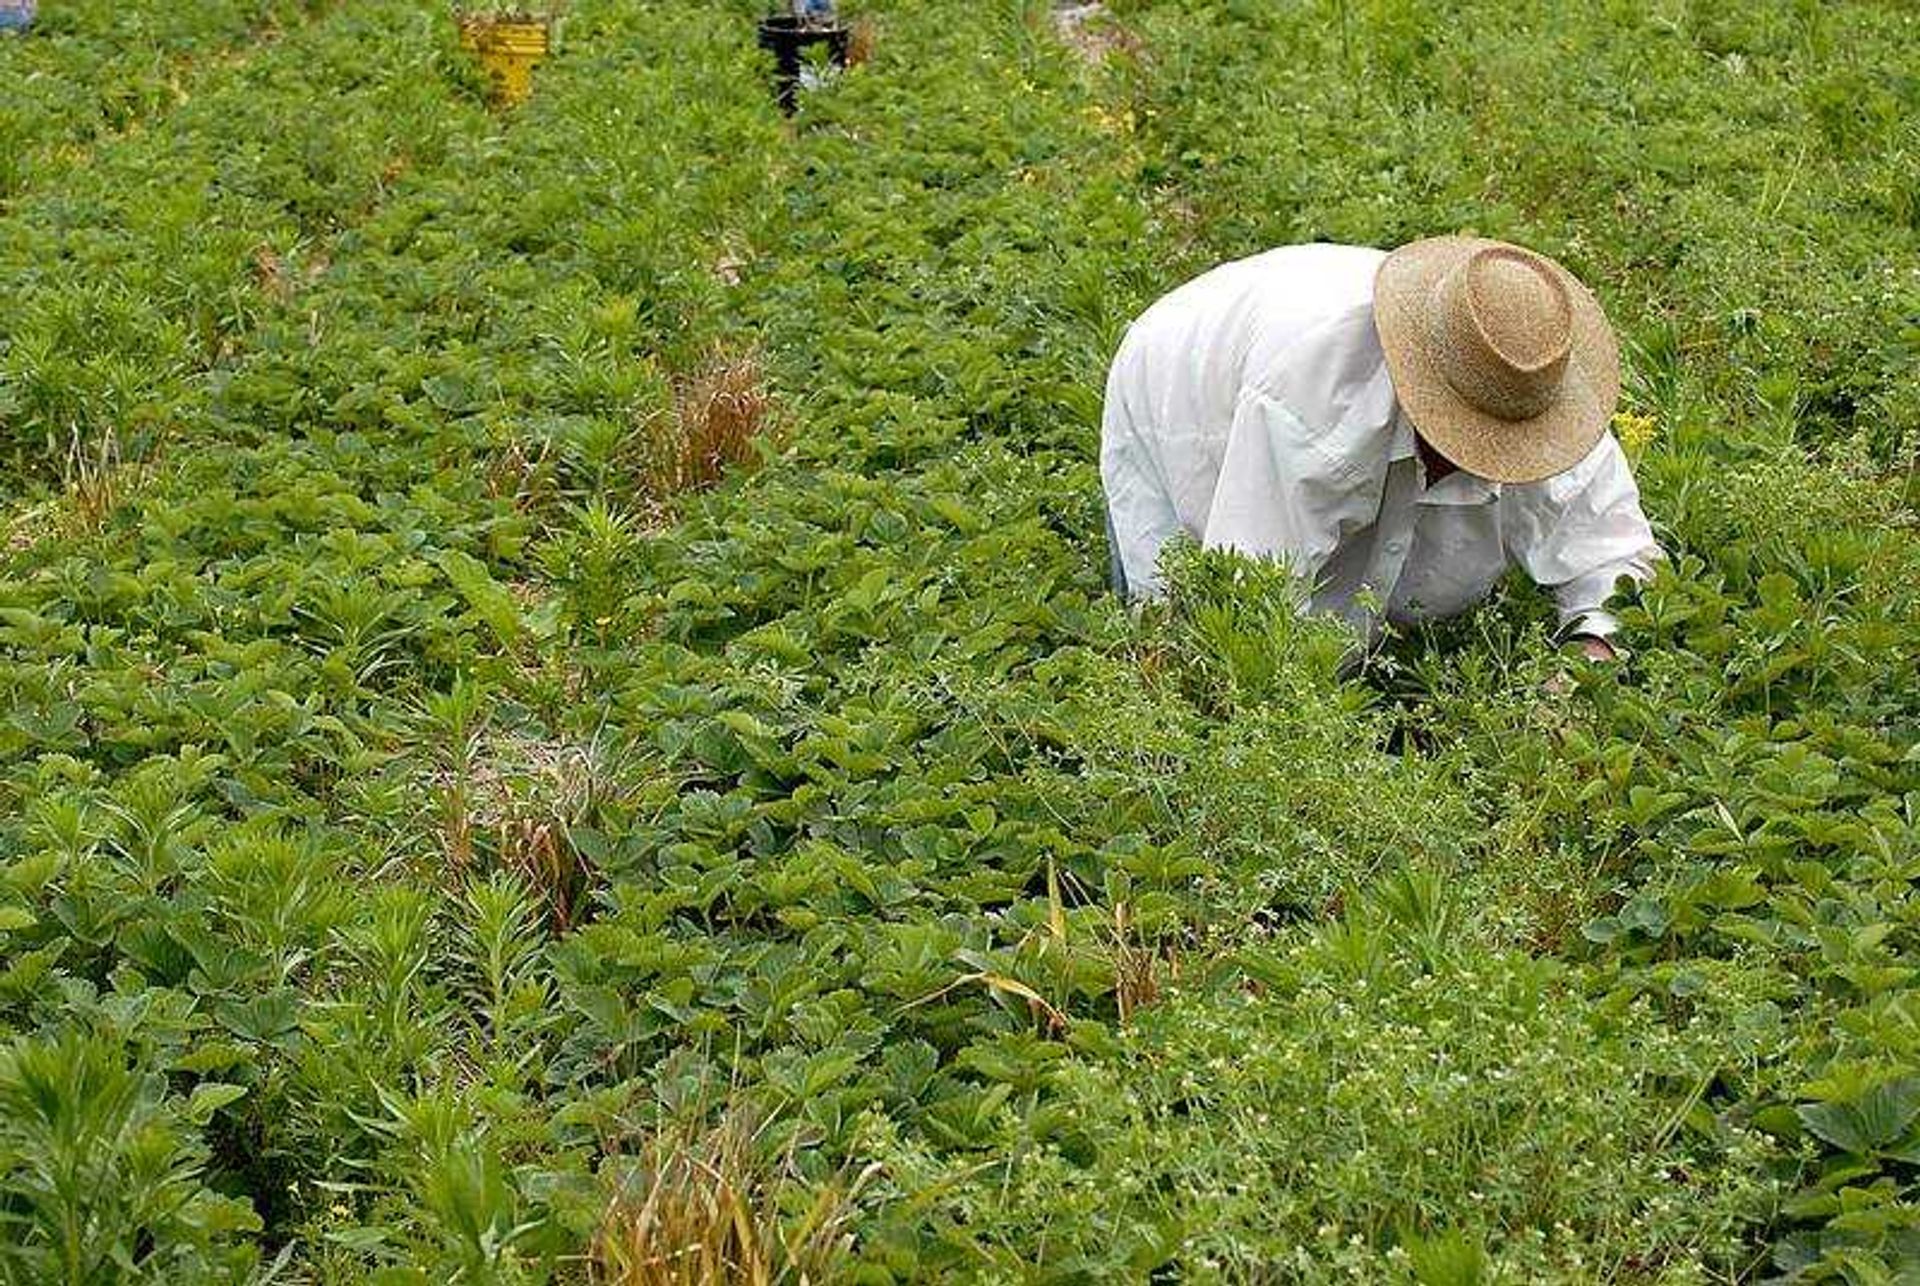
{"x": 1502, "y": 360}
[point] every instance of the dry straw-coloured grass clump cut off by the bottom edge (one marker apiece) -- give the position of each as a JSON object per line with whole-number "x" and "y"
{"x": 704, "y": 1208}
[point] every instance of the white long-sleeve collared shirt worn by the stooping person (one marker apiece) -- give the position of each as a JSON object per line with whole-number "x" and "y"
{"x": 1253, "y": 410}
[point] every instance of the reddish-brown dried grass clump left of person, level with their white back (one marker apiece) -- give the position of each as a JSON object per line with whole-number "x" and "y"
{"x": 719, "y": 416}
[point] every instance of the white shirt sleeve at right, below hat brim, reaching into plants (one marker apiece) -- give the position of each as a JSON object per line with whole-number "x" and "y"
{"x": 1579, "y": 535}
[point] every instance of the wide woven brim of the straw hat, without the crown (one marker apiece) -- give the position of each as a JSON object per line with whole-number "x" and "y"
{"x": 1483, "y": 444}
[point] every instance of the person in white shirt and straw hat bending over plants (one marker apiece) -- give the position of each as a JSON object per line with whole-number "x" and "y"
{"x": 1397, "y": 427}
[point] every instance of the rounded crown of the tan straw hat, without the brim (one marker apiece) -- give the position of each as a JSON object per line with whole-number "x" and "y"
{"x": 1504, "y": 329}
